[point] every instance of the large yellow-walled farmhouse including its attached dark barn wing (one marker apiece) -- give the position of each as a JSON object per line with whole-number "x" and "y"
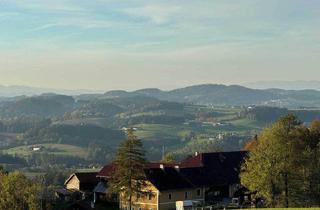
{"x": 204, "y": 178}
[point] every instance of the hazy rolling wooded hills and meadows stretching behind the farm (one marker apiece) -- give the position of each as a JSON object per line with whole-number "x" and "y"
{"x": 86, "y": 129}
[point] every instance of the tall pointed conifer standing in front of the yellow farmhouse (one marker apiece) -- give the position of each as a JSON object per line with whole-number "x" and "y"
{"x": 128, "y": 177}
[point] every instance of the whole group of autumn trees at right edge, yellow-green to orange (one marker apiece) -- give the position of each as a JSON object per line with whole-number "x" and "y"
{"x": 283, "y": 166}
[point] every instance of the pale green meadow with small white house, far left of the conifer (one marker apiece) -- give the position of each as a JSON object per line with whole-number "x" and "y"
{"x": 55, "y": 149}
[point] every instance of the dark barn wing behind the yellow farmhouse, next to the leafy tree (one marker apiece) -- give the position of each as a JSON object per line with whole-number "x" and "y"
{"x": 218, "y": 173}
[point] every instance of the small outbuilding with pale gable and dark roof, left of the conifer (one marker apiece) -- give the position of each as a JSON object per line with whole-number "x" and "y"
{"x": 81, "y": 183}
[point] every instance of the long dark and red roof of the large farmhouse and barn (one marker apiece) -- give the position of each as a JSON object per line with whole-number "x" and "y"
{"x": 206, "y": 169}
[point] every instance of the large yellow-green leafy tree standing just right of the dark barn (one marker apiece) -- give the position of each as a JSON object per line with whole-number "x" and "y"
{"x": 271, "y": 168}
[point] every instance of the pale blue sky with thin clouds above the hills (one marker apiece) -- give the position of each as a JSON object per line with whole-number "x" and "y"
{"x": 132, "y": 44}
